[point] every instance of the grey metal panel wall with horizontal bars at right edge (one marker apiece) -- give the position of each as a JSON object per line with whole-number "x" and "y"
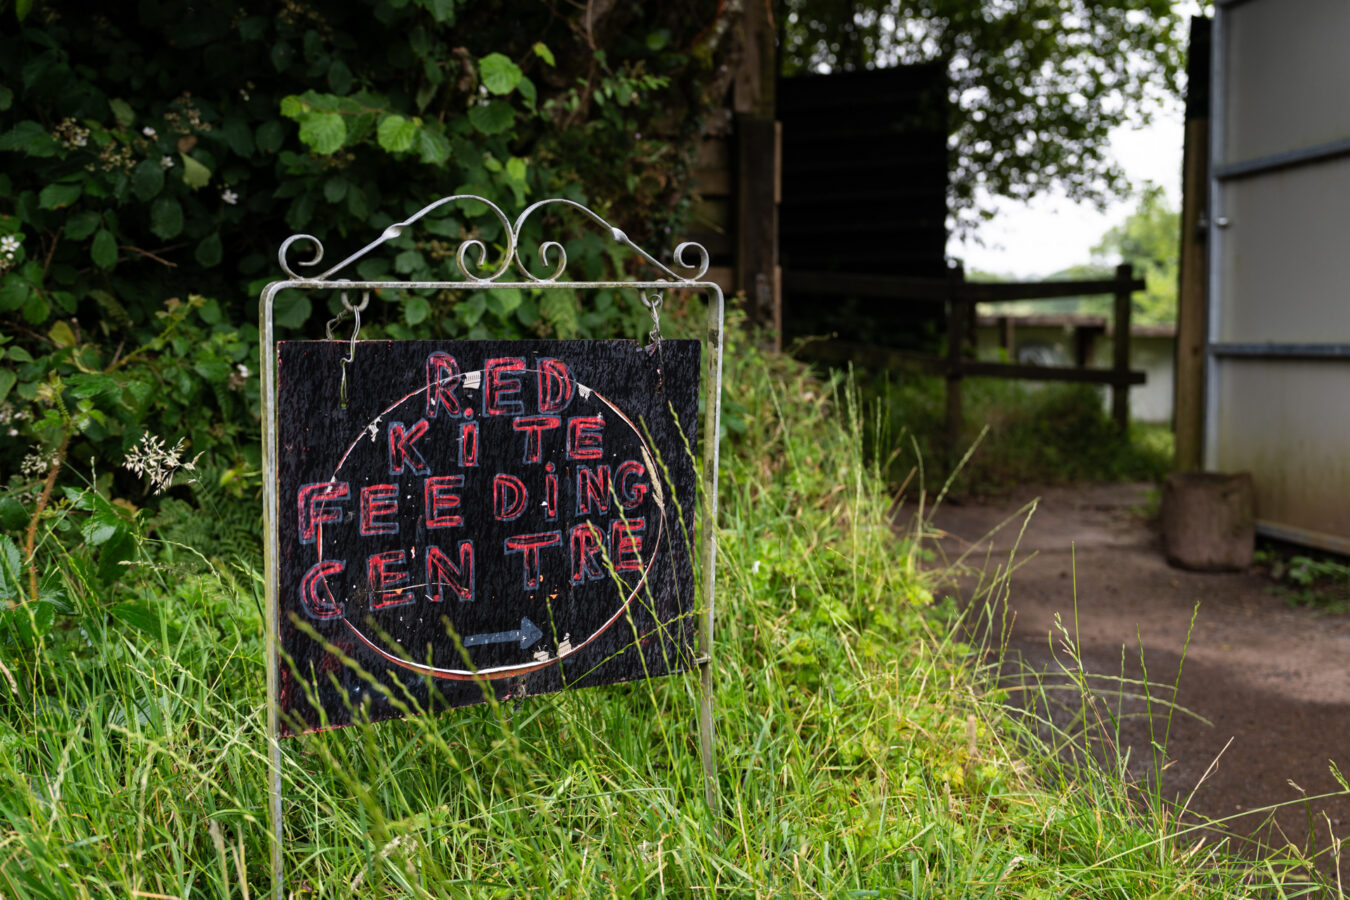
{"x": 1279, "y": 322}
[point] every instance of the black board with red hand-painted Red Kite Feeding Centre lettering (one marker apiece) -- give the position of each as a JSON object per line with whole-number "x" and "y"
{"x": 506, "y": 517}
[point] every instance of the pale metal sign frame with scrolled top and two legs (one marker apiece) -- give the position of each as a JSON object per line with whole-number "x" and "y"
{"x": 551, "y": 256}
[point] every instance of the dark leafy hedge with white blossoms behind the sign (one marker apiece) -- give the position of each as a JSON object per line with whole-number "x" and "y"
{"x": 155, "y": 156}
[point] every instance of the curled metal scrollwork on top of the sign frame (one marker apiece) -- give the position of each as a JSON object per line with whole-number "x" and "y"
{"x": 553, "y": 256}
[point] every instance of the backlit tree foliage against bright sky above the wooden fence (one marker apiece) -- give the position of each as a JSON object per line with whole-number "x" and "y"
{"x": 1036, "y": 86}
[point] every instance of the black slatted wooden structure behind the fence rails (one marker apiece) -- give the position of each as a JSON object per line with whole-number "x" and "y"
{"x": 865, "y": 194}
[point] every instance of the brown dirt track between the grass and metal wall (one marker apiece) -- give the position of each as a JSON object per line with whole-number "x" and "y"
{"x": 1274, "y": 679}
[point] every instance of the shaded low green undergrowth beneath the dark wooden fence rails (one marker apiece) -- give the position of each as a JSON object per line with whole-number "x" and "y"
{"x": 1027, "y": 432}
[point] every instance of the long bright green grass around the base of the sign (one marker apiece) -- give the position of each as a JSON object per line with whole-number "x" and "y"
{"x": 858, "y": 754}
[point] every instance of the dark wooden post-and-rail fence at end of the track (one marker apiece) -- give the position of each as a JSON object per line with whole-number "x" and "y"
{"x": 961, "y": 299}
